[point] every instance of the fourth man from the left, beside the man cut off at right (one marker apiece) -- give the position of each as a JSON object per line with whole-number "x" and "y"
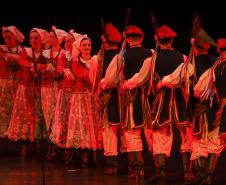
{"x": 203, "y": 119}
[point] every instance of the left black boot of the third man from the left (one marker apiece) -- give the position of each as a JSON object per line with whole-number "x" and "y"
{"x": 160, "y": 164}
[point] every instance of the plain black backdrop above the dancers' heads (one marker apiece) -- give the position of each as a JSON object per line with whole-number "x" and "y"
{"x": 84, "y": 16}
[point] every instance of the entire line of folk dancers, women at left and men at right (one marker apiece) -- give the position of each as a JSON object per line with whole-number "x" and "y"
{"x": 141, "y": 89}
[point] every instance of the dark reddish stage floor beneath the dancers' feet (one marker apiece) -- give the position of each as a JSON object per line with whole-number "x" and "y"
{"x": 15, "y": 170}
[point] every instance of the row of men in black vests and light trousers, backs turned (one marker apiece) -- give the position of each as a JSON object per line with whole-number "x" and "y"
{"x": 160, "y": 89}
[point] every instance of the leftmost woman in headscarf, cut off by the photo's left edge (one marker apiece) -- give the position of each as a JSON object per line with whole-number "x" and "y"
{"x": 9, "y": 55}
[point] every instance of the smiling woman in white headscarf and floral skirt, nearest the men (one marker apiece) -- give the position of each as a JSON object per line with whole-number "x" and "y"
{"x": 82, "y": 115}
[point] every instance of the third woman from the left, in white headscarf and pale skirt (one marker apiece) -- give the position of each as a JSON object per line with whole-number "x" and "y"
{"x": 53, "y": 83}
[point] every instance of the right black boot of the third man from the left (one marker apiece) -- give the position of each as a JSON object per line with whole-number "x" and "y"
{"x": 187, "y": 166}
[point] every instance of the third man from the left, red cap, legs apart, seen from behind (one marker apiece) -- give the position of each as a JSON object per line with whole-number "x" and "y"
{"x": 169, "y": 106}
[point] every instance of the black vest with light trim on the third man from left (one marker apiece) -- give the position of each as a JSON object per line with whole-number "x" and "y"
{"x": 169, "y": 105}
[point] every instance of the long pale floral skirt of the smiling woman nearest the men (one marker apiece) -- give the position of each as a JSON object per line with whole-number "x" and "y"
{"x": 82, "y": 130}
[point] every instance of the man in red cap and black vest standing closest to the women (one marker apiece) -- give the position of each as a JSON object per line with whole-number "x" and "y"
{"x": 109, "y": 100}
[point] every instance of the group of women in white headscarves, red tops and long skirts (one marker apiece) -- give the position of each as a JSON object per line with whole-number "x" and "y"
{"x": 45, "y": 94}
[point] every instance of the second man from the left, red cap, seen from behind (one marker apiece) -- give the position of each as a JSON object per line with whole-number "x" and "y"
{"x": 133, "y": 116}
